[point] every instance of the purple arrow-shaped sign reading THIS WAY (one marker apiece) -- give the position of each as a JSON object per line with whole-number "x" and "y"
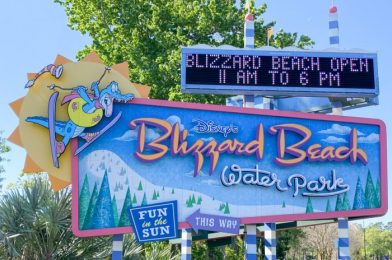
{"x": 214, "y": 223}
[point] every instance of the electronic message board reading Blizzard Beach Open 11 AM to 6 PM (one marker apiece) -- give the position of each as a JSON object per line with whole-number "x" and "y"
{"x": 281, "y": 73}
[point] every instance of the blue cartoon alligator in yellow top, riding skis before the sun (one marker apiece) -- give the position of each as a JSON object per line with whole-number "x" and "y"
{"x": 85, "y": 110}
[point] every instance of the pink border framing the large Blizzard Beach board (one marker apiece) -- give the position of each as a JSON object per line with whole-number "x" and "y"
{"x": 249, "y": 220}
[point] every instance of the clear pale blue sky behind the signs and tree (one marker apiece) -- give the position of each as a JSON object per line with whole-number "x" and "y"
{"x": 34, "y": 32}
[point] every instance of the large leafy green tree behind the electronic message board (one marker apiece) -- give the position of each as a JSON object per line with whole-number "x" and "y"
{"x": 148, "y": 35}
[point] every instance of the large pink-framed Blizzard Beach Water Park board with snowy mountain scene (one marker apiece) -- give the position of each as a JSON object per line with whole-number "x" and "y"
{"x": 249, "y": 164}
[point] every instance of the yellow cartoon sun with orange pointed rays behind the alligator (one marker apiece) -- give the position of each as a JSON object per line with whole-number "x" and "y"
{"x": 67, "y": 74}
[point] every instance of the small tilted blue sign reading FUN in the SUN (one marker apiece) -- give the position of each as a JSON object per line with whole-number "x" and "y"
{"x": 155, "y": 222}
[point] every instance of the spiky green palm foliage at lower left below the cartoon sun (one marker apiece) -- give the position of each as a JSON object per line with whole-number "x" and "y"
{"x": 35, "y": 223}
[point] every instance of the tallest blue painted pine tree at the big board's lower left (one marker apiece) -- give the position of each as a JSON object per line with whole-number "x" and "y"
{"x": 103, "y": 209}
